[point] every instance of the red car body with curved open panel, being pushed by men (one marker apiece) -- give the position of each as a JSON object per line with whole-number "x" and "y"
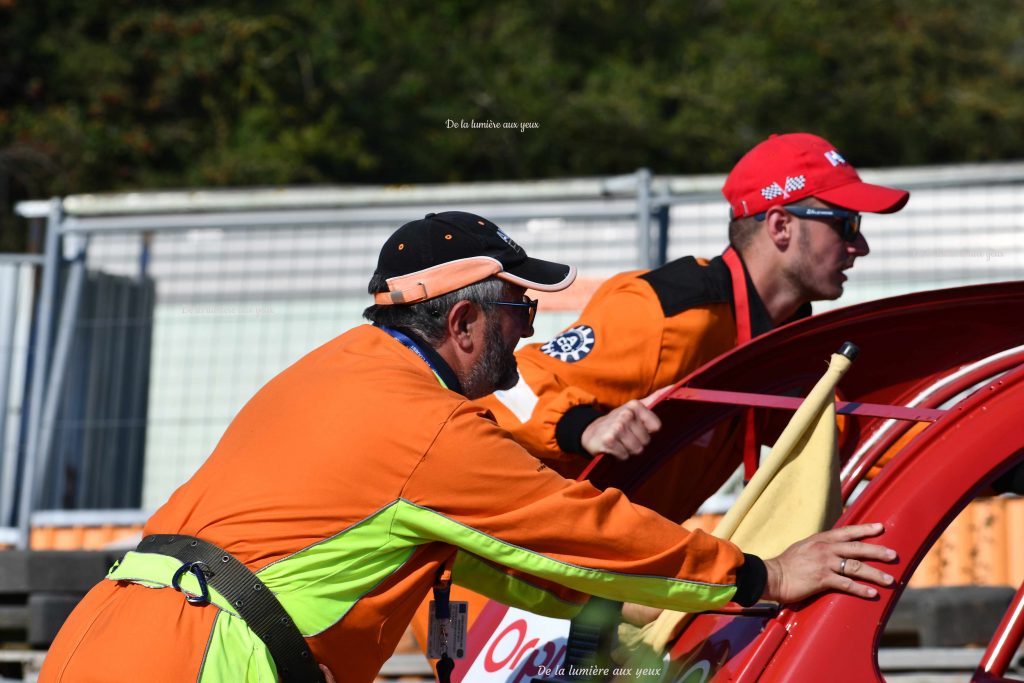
{"x": 960, "y": 352}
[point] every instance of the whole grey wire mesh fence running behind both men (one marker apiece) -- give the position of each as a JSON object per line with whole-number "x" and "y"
{"x": 184, "y": 311}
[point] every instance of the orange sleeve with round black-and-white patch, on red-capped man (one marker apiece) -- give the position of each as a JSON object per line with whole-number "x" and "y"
{"x": 625, "y": 346}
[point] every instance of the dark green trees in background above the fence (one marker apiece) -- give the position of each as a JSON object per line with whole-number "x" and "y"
{"x": 117, "y": 96}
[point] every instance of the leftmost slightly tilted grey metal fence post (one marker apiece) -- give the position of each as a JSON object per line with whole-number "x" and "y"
{"x": 41, "y": 355}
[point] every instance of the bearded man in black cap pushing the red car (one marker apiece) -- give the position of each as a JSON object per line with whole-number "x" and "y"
{"x": 363, "y": 478}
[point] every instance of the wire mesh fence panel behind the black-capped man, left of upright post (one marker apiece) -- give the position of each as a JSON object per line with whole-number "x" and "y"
{"x": 223, "y": 305}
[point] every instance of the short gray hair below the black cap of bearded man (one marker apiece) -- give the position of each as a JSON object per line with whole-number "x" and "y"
{"x": 428, "y": 319}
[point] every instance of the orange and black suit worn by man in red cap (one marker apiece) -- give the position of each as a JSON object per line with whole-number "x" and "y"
{"x": 642, "y": 331}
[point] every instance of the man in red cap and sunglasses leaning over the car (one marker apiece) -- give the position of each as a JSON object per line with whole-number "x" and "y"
{"x": 795, "y": 230}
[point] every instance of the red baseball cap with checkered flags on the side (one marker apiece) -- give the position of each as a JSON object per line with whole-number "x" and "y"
{"x": 787, "y": 168}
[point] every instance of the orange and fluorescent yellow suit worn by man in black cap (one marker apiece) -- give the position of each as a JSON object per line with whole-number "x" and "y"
{"x": 348, "y": 484}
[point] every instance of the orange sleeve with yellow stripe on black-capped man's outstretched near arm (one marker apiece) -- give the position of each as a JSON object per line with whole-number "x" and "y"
{"x": 504, "y": 506}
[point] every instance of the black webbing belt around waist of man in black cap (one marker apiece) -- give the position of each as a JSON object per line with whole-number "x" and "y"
{"x": 251, "y": 600}
